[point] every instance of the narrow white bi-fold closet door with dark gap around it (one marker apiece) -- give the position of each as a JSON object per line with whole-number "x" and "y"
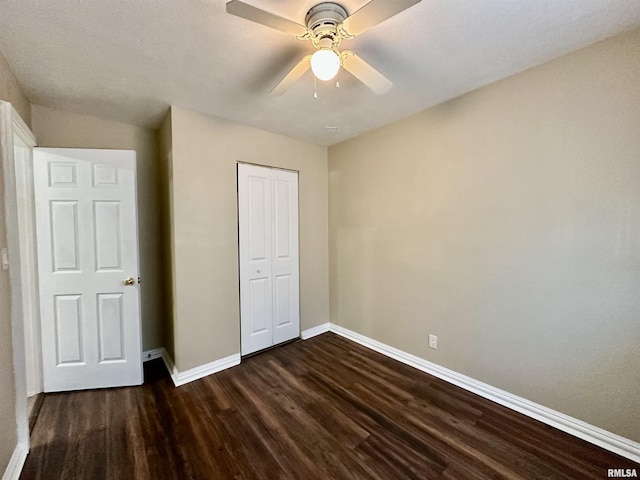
{"x": 268, "y": 249}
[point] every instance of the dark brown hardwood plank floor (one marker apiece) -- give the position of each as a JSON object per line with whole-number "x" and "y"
{"x": 323, "y": 408}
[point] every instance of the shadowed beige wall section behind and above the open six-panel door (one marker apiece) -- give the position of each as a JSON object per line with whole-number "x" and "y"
{"x": 56, "y": 128}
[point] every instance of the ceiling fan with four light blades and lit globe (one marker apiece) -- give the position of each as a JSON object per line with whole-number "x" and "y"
{"x": 327, "y": 25}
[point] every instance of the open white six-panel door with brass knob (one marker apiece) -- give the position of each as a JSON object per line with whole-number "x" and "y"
{"x": 87, "y": 245}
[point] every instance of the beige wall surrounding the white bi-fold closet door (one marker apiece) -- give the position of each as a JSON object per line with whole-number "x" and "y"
{"x": 205, "y": 152}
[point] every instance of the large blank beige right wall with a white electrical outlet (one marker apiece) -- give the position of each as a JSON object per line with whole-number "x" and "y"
{"x": 507, "y": 222}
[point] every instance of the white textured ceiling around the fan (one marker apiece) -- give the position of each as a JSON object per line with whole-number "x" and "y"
{"x": 128, "y": 60}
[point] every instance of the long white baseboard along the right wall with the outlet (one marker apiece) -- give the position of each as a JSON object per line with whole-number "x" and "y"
{"x": 590, "y": 433}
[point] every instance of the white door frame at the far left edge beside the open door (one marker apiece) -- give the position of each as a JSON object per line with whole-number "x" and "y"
{"x": 13, "y": 130}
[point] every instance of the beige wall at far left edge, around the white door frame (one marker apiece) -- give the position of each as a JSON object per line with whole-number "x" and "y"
{"x": 9, "y": 91}
